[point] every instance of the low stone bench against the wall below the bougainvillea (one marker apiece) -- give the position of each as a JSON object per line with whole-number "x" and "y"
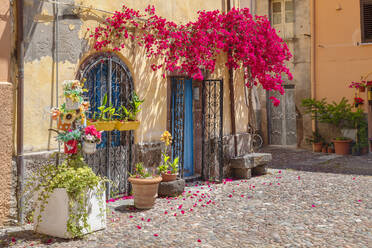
{"x": 254, "y": 163}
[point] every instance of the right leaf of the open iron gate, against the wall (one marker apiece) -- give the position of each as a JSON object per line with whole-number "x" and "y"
{"x": 212, "y": 148}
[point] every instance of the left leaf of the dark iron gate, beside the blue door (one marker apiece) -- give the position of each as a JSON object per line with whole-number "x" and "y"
{"x": 178, "y": 120}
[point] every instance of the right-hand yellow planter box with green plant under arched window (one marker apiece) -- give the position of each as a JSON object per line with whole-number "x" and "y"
{"x": 128, "y": 116}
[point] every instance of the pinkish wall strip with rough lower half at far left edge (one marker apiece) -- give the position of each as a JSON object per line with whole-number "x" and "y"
{"x": 6, "y": 112}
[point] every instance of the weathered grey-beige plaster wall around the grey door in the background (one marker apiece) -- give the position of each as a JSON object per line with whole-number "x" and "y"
{"x": 300, "y": 65}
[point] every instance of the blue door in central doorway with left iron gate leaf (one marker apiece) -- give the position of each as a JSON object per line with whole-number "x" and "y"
{"x": 182, "y": 125}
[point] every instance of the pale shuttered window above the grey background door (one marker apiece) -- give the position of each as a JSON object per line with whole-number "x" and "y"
{"x": 282, "y": 17}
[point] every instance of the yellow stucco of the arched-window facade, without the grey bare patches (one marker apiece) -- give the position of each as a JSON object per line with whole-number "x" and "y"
{"x": 39, "y": 76}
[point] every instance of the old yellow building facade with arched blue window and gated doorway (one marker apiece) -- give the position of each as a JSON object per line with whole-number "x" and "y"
{"x": 57, "y": 47}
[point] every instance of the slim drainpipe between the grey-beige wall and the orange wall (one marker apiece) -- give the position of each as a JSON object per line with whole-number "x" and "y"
{"x": 313, "y": 56}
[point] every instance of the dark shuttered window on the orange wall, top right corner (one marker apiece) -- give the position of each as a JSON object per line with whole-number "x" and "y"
{"x": 366, "y": 20}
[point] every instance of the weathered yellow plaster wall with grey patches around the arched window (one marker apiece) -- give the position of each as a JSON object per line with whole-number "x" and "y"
{"x": 74, "y": 45}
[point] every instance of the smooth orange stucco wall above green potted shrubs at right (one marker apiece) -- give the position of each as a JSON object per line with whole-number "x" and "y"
{"x": 340, "y": 58}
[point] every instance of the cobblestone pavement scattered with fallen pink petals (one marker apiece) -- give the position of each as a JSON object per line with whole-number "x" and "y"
{"x": 290, "y": 207}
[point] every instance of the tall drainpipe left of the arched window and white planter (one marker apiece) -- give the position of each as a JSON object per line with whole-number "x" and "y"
{"x": 20, "y": 96}
